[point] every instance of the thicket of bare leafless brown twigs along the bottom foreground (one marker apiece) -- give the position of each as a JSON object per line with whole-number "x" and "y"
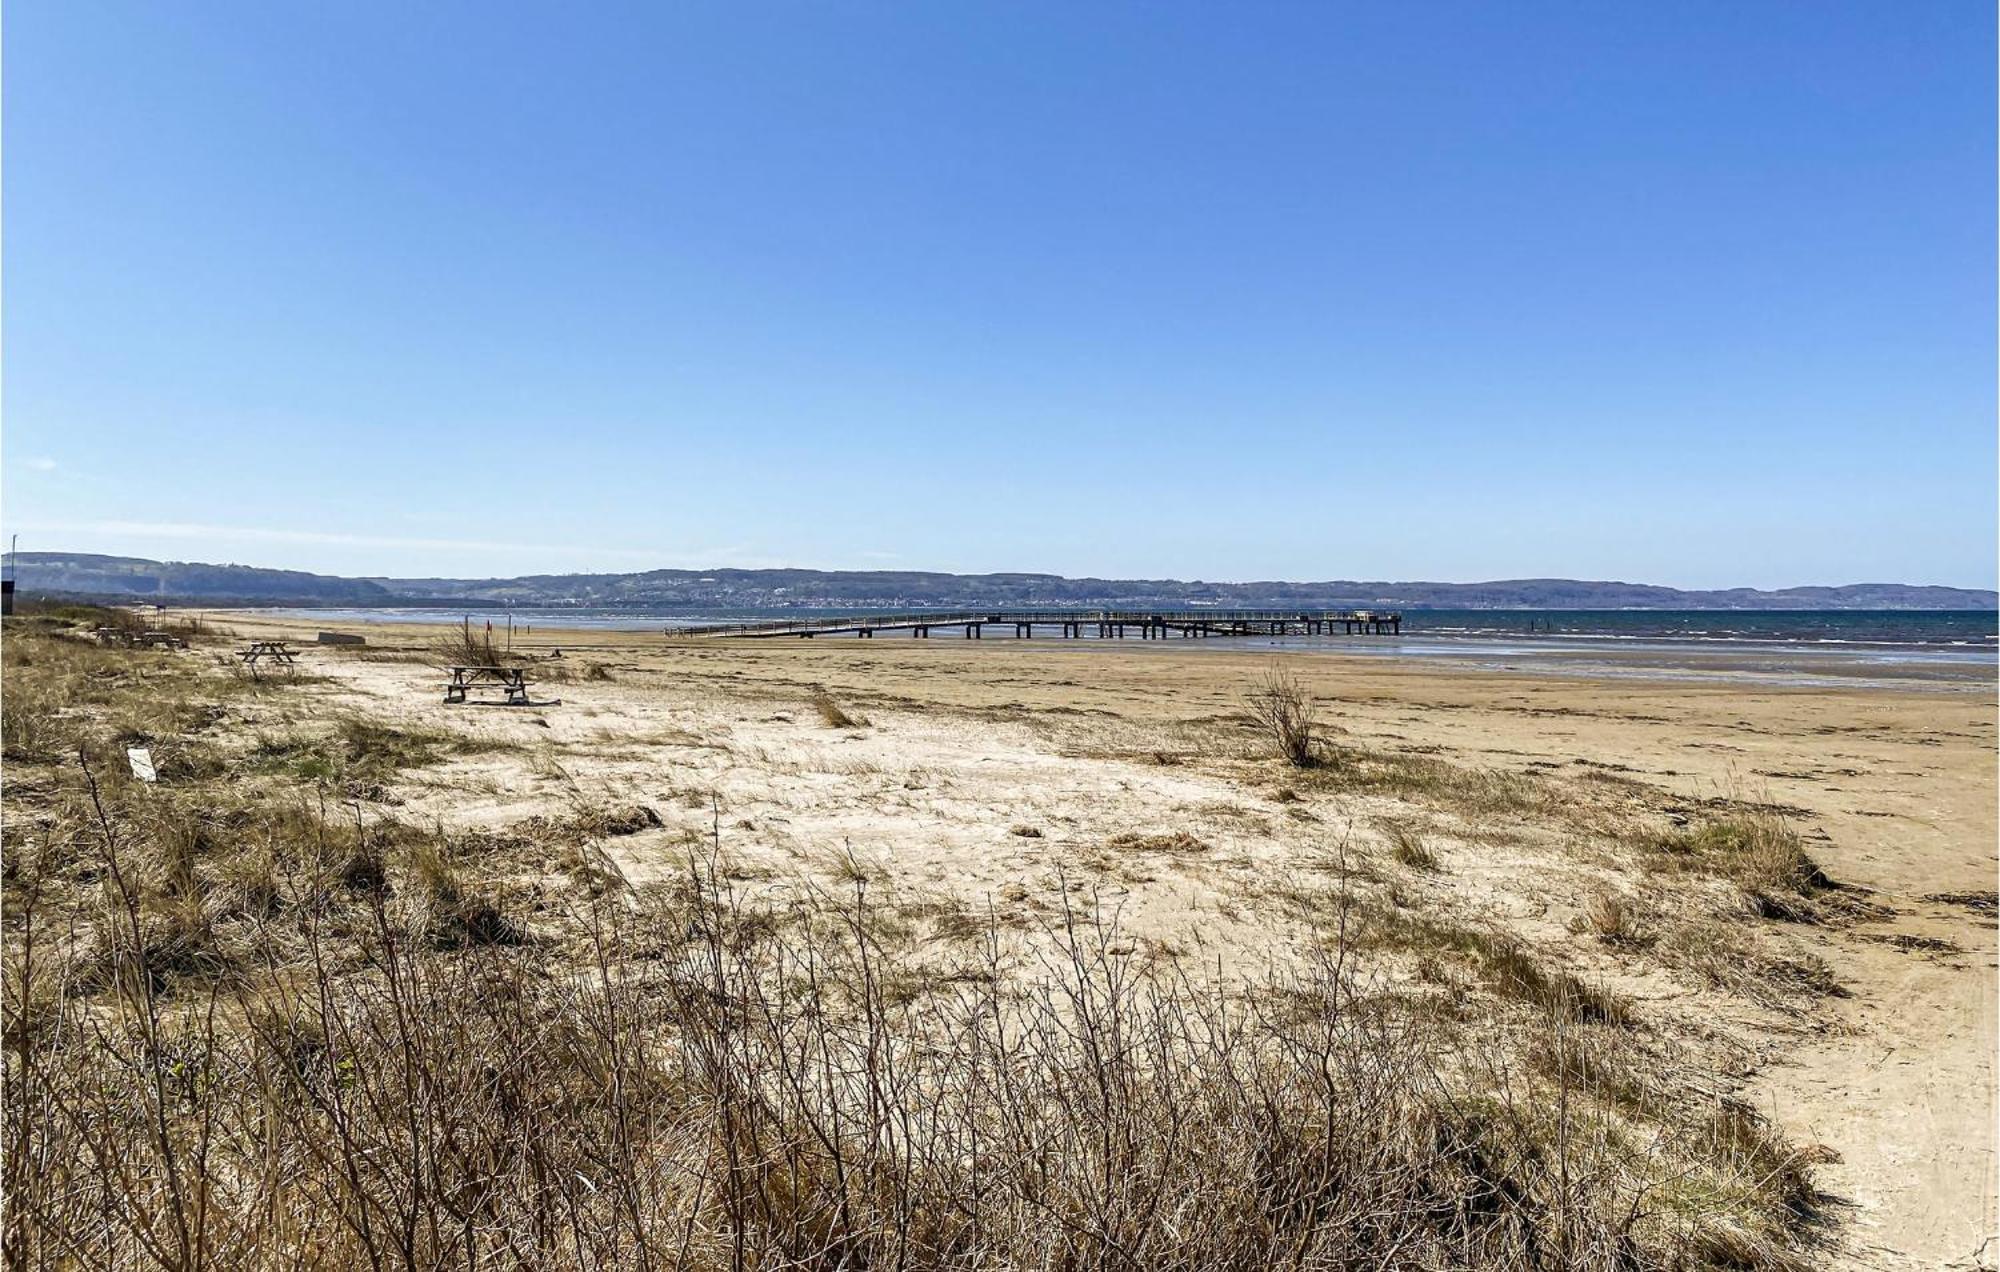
{"x": 743, "y": 1089}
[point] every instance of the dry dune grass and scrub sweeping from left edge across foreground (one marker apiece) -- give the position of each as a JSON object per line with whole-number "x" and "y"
{"x": 259, "y": 1025}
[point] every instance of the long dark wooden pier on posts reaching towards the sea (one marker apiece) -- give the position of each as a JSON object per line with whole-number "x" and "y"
{"x": 1075, "y": 625}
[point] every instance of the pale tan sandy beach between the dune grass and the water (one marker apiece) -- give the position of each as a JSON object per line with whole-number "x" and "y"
{"x": 969, "y": 749}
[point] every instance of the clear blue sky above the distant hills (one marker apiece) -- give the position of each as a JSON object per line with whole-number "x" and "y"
{"x": 1691, "y": 293}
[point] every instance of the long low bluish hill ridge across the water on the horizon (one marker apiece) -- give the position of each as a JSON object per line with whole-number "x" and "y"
{"x": 139, "y": 579}
